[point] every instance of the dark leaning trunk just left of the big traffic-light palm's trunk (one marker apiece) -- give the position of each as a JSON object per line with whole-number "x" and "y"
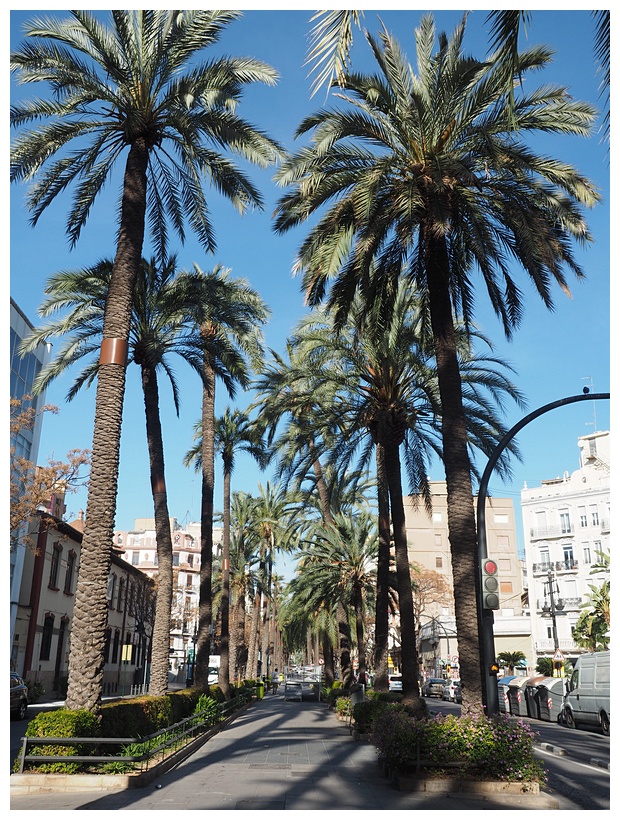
{"x": 409, "y": 654}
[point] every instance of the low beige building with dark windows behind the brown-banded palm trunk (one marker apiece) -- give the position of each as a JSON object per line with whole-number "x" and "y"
{"x": 42, "y": 636}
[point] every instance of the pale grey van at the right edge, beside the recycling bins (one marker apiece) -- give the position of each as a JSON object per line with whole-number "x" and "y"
{"x": 587, "y": 700}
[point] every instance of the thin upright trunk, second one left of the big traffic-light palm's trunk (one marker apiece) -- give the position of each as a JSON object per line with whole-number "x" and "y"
{"x": 382, "y": 621}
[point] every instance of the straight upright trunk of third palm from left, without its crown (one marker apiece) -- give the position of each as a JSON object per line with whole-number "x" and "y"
{"x": 205, "y": 609}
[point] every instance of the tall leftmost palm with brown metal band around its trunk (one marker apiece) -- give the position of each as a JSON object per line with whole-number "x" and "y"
{"x": 131, "y": 87}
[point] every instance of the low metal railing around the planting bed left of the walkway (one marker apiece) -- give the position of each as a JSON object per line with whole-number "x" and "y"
{"x": 147, "y": 749}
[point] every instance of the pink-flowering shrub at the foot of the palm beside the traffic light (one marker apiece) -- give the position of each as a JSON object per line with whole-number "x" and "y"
{"x": 487, "y": 748}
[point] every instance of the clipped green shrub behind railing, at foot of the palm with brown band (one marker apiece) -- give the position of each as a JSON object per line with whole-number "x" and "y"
{"x": 63, "y": 723}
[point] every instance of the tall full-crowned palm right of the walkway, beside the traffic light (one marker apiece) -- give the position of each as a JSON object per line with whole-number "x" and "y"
{"x": 425, "y": 175}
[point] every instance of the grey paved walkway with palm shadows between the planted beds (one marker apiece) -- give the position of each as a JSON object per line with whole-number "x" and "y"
{"x": 278, "y": 756}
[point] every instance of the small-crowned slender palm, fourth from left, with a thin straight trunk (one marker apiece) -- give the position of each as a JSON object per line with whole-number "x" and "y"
{"x": 234, "y": 433}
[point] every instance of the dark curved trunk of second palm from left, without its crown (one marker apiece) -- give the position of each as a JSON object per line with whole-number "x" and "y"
{"x": 163, "y": 607}
